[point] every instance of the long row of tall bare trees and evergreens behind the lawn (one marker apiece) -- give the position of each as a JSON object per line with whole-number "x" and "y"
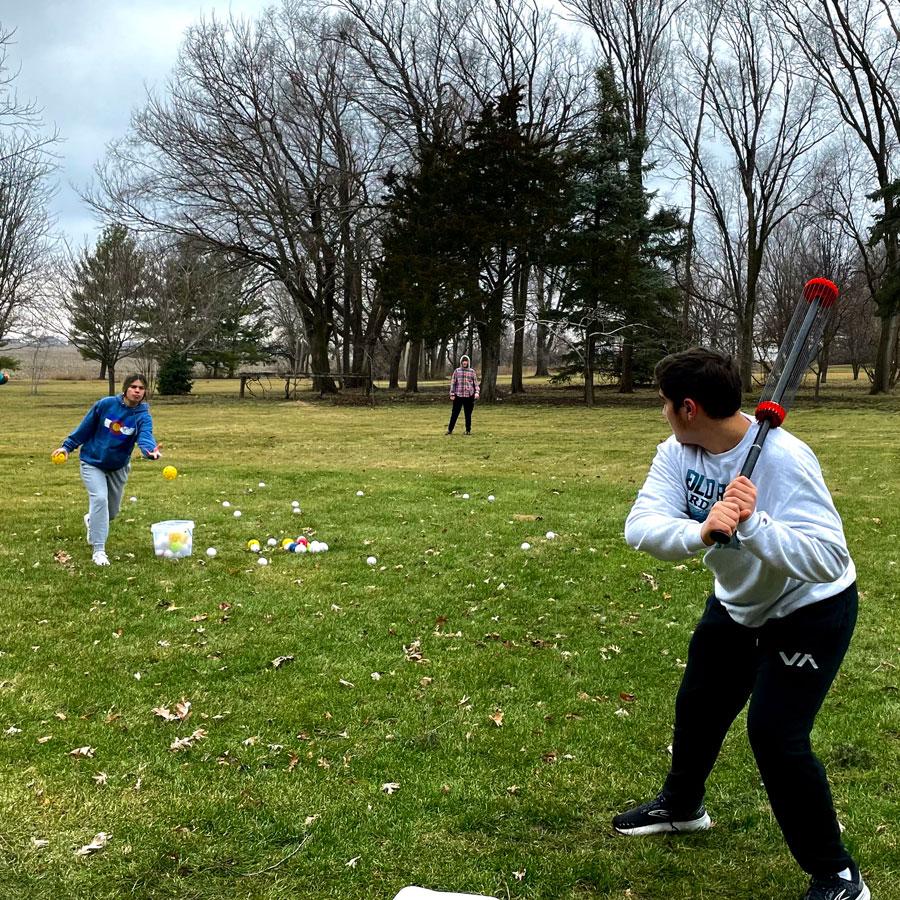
{"x": 353, "y": 184}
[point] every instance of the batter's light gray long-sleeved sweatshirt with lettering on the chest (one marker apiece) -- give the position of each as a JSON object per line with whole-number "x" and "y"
{"x": 790, "y": 553}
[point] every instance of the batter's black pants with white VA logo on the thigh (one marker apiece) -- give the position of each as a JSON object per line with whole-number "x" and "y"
{"x": 785, "y": 668}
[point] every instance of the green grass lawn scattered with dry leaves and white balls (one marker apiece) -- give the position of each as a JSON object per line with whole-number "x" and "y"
{"x": 518, "y": 699}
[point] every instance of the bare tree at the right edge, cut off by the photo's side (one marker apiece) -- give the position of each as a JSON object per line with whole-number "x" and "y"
{"x": 851, "y": 47}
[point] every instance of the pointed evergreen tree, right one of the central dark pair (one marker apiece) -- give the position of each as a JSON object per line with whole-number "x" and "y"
{"x": 616, "y": 251}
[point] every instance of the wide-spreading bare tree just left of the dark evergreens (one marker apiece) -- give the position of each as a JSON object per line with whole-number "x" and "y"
{"x": 240, "y": 154}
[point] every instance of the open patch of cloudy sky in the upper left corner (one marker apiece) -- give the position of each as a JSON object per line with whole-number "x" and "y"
{"x": 88, "y": 64}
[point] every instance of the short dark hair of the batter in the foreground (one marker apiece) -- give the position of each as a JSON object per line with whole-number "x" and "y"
{"x": 707, "y": 376}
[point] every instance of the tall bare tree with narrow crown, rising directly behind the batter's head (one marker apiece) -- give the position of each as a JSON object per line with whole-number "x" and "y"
{"x": 761, "y": 121}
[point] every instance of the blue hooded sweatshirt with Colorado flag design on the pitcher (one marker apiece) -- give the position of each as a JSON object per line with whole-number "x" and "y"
{"x": 109, "y": 431}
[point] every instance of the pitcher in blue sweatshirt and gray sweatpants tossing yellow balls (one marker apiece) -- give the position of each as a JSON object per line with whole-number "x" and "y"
{"x": 107, "y": 436}
